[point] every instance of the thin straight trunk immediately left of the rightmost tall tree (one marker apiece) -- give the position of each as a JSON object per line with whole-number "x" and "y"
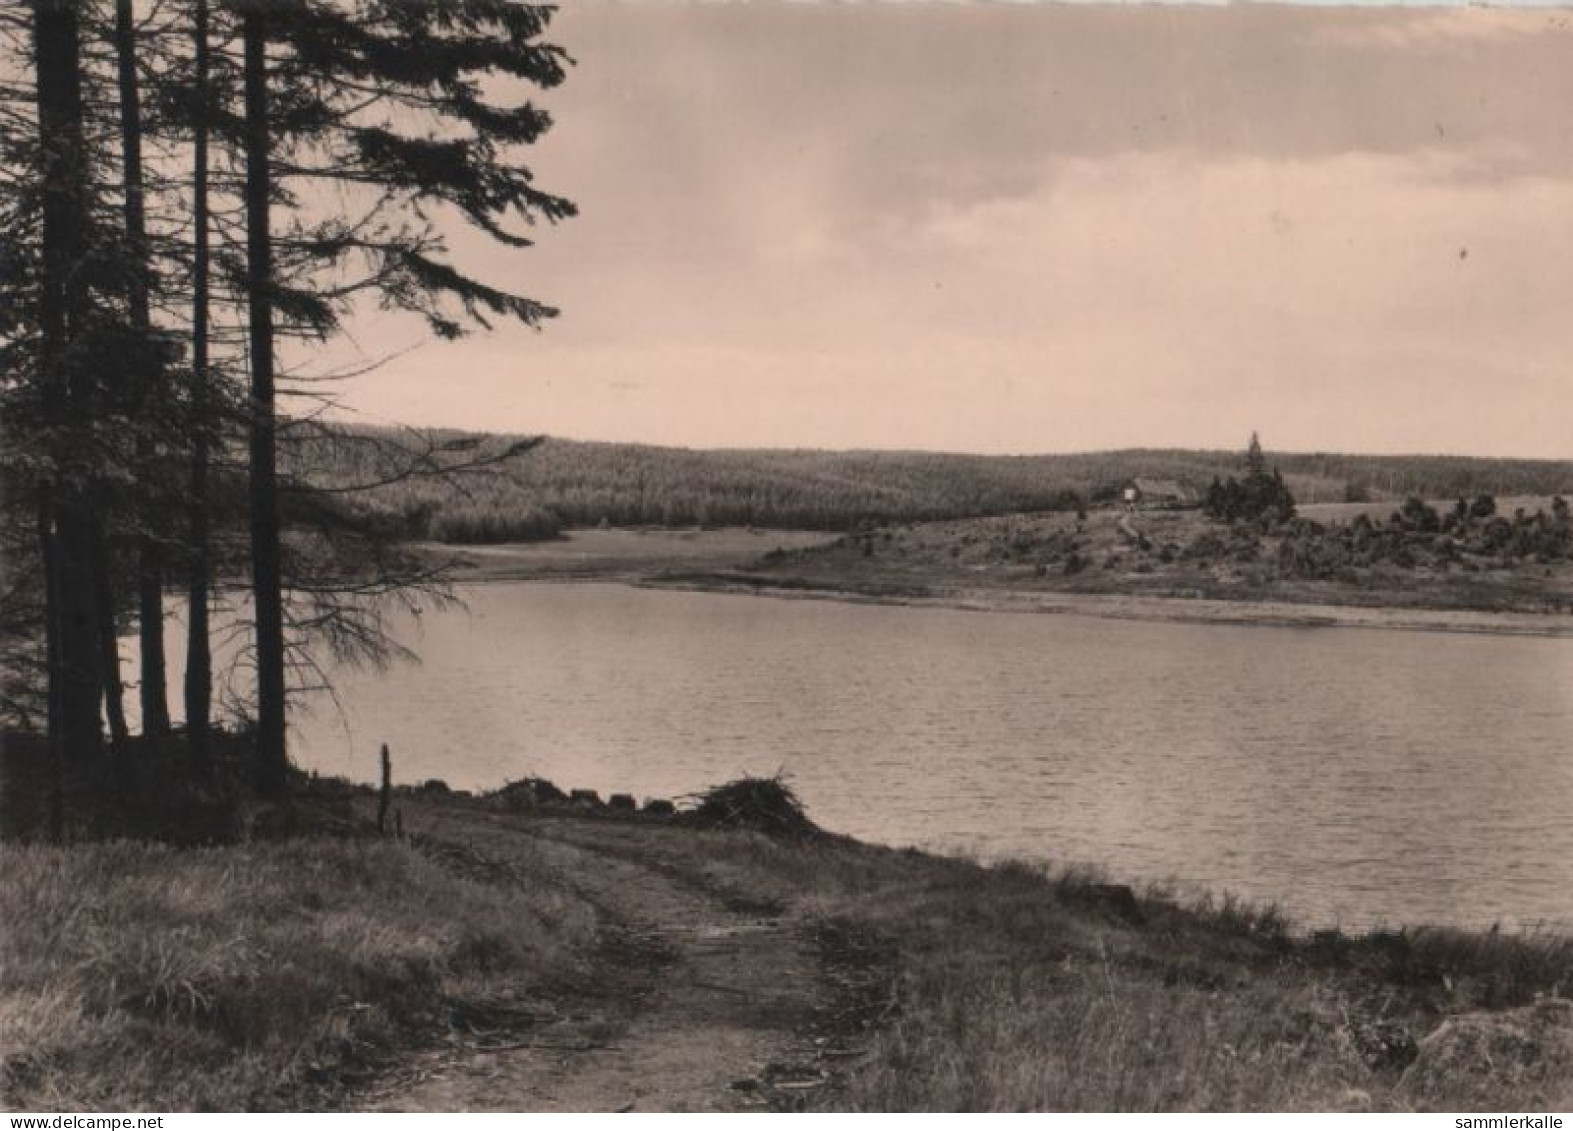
{"x": 199, "y": 650}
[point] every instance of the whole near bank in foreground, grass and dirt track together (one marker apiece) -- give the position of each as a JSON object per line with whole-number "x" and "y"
{"x": 728, "y": 967}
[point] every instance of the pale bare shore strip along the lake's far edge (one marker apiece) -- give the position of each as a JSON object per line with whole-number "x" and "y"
{"x": 718, "y": 562}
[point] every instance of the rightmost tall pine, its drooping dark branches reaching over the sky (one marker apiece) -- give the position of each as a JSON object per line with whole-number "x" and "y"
{"x": 336, "y": 68}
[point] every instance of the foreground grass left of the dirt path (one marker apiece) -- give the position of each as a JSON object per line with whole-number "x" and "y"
{"x": 249, "y": 978}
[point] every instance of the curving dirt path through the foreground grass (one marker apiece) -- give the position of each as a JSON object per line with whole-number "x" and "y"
{"x": 705, "y": 1006}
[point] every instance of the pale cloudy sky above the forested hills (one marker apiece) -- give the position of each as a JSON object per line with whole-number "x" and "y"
{"x": 985, "y": 227}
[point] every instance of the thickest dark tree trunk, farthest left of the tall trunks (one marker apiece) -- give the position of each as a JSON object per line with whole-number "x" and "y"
{"x": 68, "y": 523}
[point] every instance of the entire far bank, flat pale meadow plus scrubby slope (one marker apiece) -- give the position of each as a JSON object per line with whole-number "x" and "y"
{"x": 1177, "y": 565}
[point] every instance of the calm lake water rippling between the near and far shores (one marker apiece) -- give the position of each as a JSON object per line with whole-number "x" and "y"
{"x": 1355, "y": 776}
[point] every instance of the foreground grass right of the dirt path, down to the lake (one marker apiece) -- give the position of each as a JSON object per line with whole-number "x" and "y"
{"x": 1023, "y": 989}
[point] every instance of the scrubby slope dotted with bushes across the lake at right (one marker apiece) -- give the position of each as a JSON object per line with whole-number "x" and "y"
{"x": 1182, "y": 554}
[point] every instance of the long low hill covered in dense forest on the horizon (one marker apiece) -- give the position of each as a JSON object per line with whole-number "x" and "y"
{"x": 570, "y": 484}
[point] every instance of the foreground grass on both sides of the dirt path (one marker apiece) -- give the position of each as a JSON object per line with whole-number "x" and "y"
{"x": 295, "y": 973}
